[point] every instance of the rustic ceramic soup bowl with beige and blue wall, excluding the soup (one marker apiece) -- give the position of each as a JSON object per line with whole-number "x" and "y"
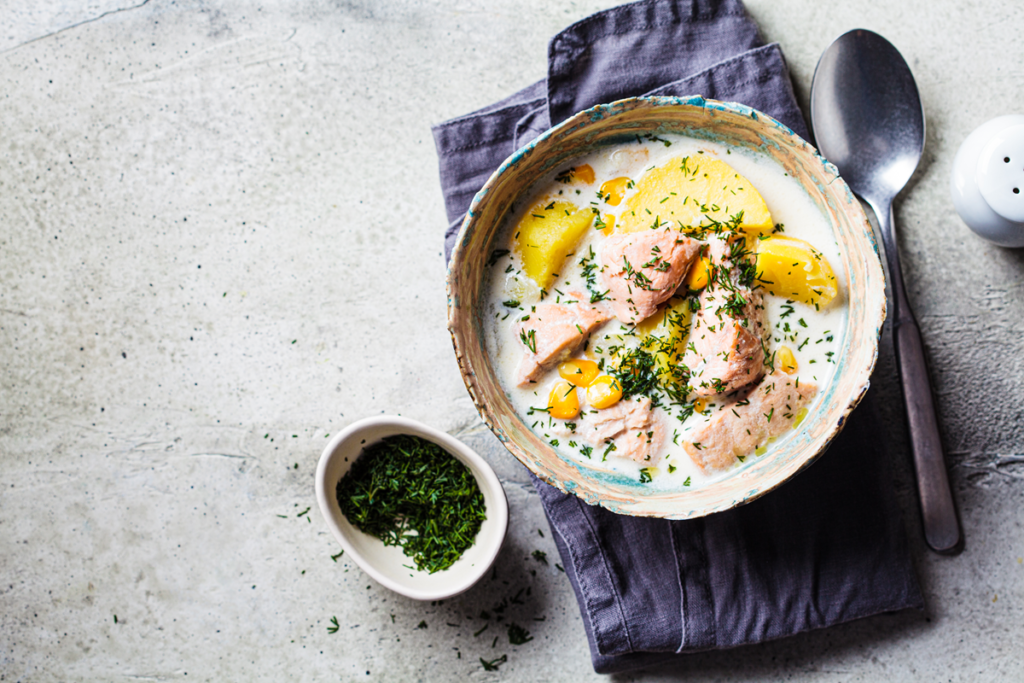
{"x": 740, "y": 127}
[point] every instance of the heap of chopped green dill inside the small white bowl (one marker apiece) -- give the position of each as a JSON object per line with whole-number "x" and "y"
{"x": 411, "y": 493}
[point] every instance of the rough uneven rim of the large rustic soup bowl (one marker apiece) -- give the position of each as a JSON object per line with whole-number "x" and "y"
{"x": 584, "y": 489}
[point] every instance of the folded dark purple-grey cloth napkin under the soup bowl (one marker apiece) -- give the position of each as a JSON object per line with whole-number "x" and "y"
{"x": 828, "y": 547}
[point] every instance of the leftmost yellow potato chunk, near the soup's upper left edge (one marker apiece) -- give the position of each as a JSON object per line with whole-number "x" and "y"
{"x": 547, "y": 235}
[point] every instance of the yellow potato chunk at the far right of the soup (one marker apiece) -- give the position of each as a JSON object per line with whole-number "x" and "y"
{"x": 793, "y": 269}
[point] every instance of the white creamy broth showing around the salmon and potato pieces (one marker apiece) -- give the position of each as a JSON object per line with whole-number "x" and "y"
{"x": 815, "y": 336}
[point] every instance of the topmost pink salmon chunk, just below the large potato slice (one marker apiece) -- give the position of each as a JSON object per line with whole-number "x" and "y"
{"x": 643, "y": 270}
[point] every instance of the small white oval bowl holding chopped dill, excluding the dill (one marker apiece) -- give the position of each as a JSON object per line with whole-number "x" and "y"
{"x": 388, "y": 565}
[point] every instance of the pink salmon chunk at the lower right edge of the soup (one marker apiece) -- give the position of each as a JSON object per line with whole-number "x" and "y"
{"x": 770, "y": 410}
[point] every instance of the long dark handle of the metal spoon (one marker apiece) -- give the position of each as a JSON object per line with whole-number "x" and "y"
{"x": 943, "y": 532}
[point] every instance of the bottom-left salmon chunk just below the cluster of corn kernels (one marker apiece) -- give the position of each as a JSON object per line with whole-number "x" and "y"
{"x": 631, "y": 425}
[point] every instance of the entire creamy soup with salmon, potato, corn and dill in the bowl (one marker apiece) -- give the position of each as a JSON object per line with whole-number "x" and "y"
{"x": 665, "y": 310}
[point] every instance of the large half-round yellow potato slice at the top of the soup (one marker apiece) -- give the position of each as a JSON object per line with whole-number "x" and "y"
{"x": 696, "y": 192}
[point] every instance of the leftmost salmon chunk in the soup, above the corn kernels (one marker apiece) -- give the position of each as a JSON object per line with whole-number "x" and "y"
{"x": 553, "y": 332}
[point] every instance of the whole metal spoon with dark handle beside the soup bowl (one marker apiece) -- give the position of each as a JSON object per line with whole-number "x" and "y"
{"x": 869, "y": 121}
